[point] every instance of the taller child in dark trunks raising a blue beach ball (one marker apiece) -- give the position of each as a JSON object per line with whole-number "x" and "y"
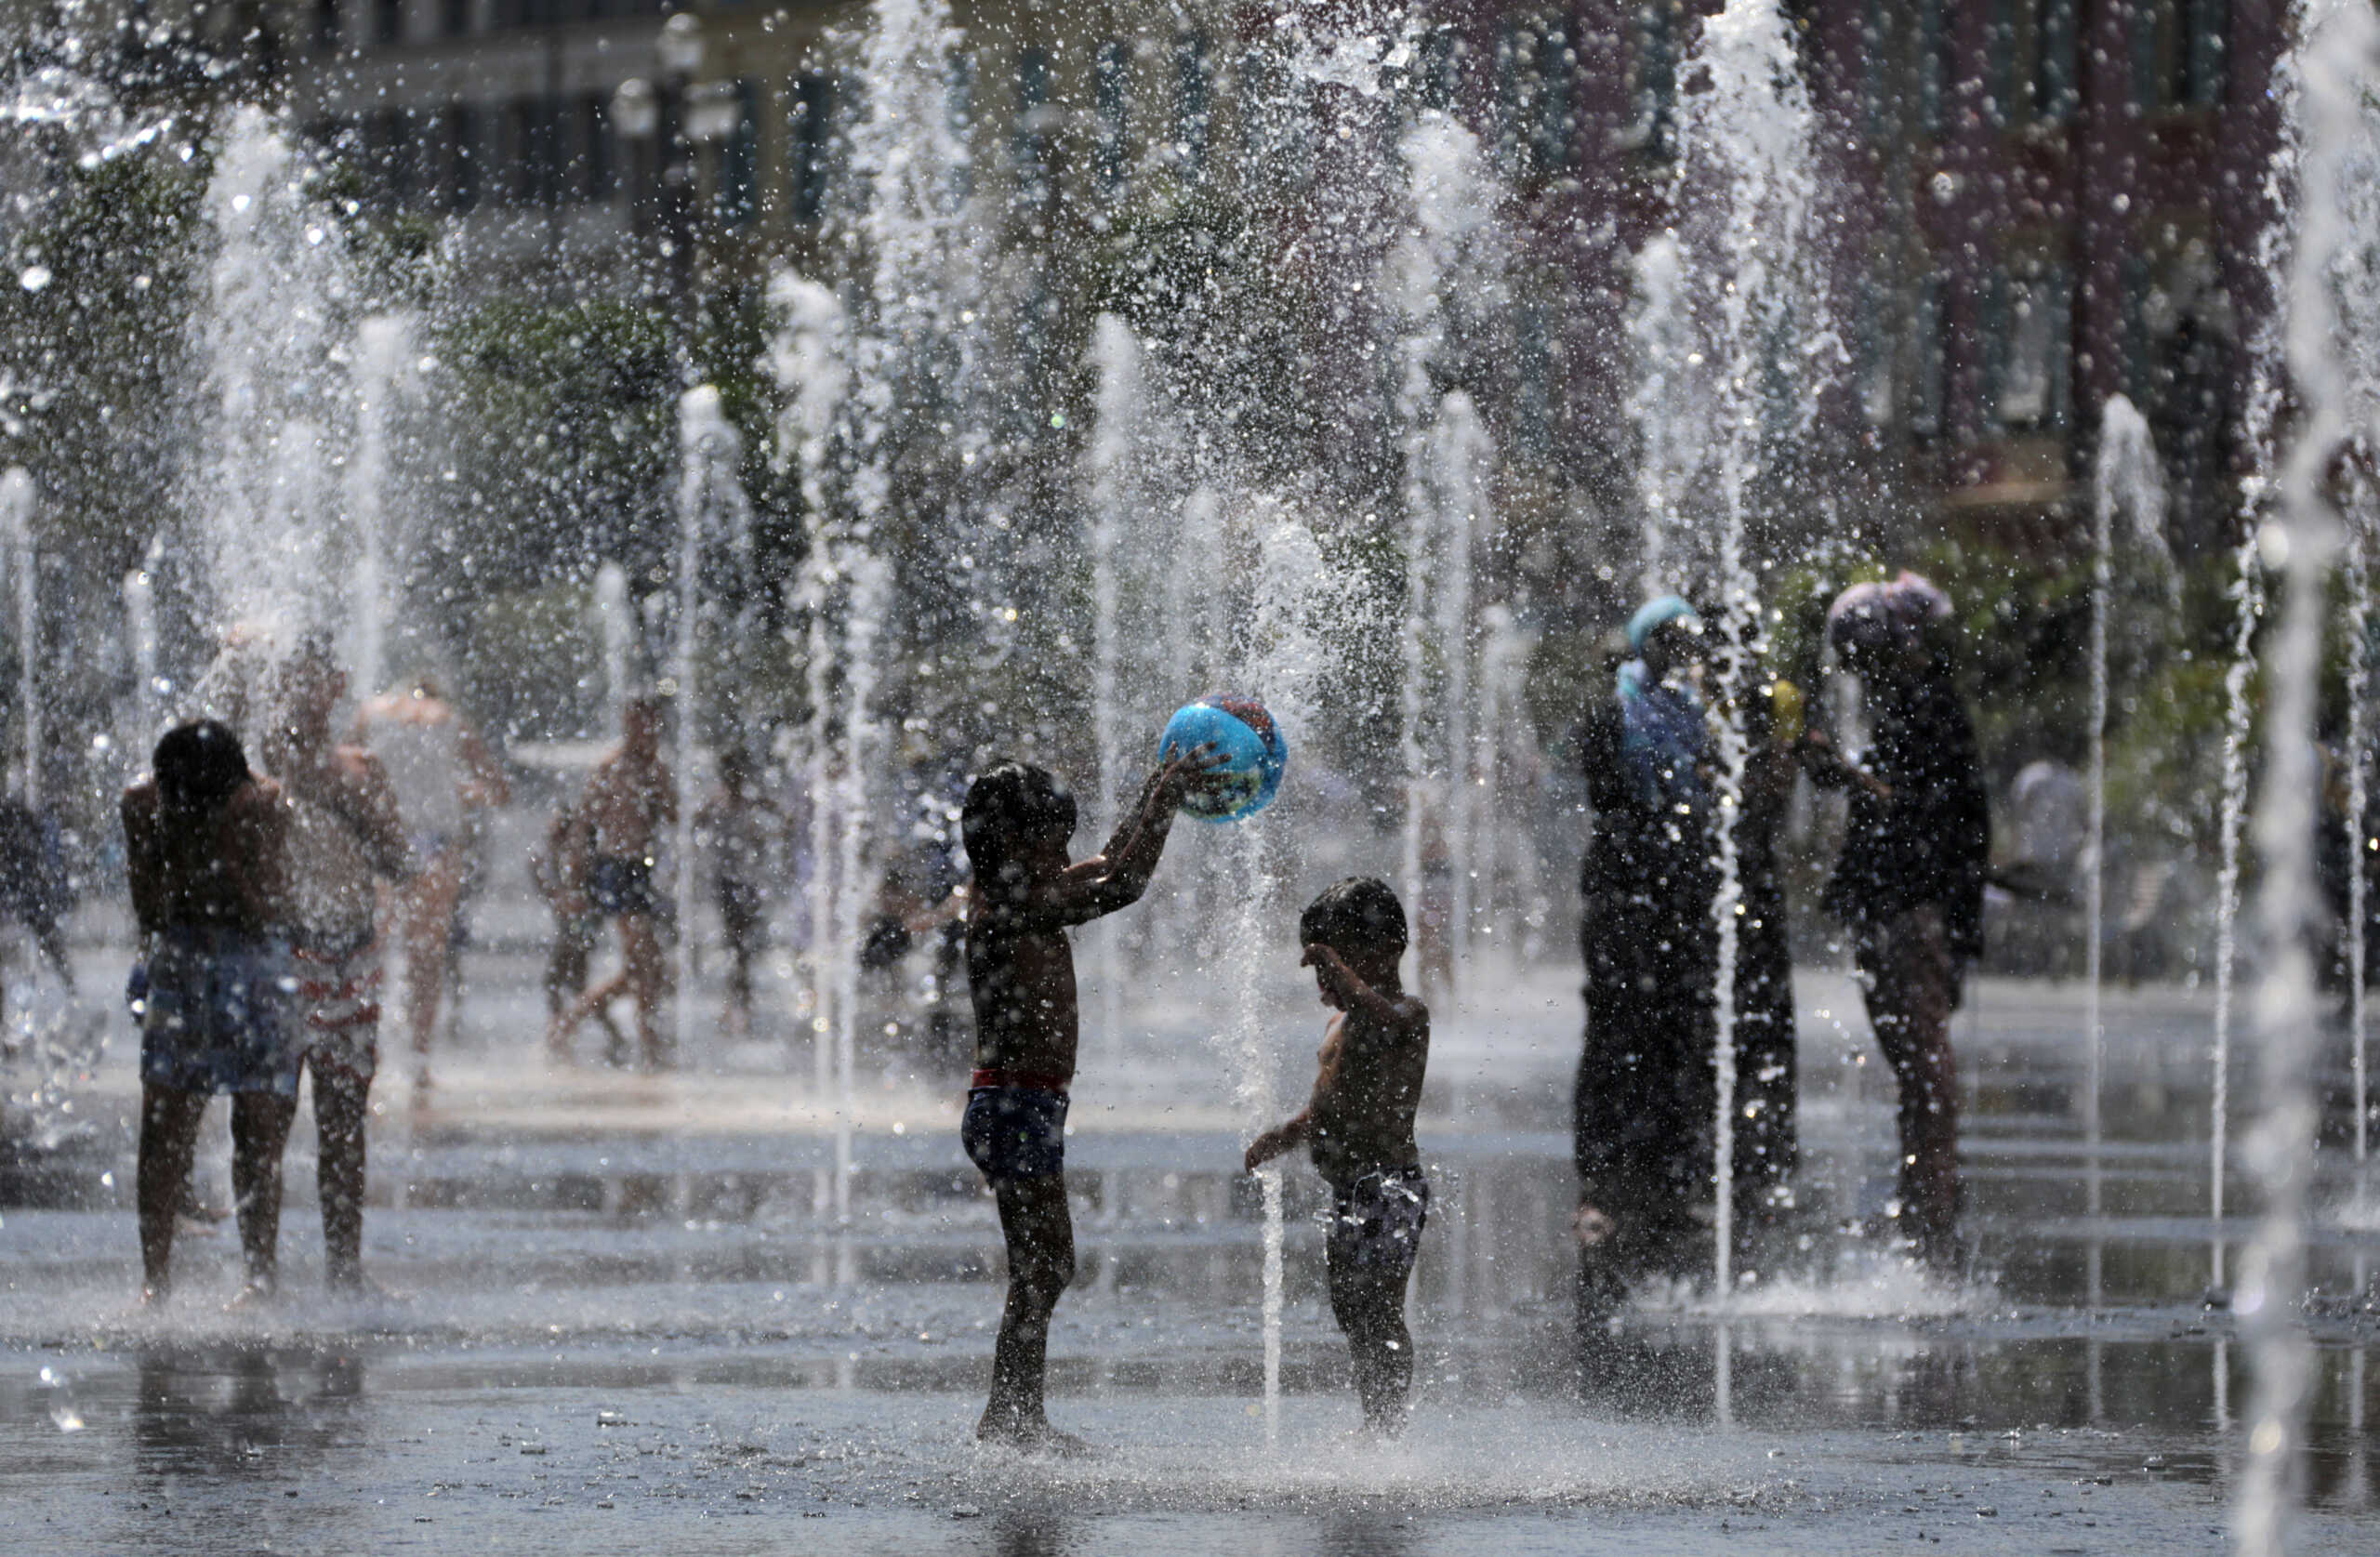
{"x": 1020, "y": 973}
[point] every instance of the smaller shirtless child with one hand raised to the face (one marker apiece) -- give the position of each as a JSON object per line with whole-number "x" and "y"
{"x": 1360, "y": 1127}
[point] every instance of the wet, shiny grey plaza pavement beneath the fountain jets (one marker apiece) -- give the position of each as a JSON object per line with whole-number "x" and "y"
{"x": 646, "y": 1318}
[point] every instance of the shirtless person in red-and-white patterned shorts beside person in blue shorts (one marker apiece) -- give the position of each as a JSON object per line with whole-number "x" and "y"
{"x": 346, "y": 839}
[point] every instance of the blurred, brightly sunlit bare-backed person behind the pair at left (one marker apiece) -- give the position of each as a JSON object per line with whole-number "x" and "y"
{"x": 441, "y": 773}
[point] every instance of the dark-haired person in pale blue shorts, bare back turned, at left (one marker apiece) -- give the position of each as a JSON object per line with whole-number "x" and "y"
{"x": 208, "y": 861}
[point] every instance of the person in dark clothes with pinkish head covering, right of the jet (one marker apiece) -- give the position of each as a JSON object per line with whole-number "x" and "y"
{"x": 1912, "y": 873}
